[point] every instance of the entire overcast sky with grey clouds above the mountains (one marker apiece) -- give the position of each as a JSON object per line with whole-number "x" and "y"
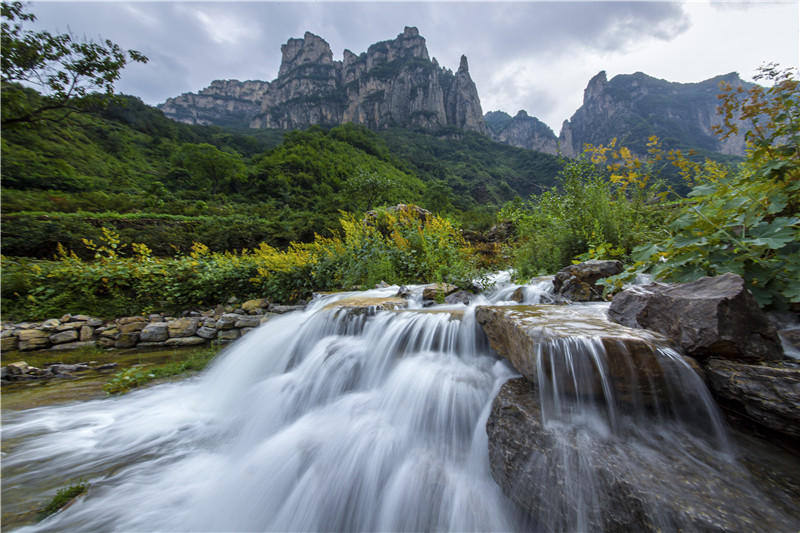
{"x": 536, "y": 56}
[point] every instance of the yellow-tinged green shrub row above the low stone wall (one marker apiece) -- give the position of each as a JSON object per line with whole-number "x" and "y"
{"x": 394, "y": 246}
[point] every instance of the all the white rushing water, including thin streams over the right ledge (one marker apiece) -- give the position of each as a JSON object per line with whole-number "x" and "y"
{"x": 332, "y": 420}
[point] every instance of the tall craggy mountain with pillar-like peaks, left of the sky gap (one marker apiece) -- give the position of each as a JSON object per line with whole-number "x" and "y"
{"x": 393, "y": 84}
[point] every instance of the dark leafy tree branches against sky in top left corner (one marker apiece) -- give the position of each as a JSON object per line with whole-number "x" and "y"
{"x": 68, "y": 75}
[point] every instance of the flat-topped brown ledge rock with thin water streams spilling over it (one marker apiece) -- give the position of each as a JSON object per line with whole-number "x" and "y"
{"x": 586, "y": 355}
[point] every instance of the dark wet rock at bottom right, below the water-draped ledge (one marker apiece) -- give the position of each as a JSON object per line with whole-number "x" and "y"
{"x": 569, "y": 477}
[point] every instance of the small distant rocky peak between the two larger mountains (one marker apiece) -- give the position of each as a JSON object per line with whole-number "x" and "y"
{"x": 522, "y": 131}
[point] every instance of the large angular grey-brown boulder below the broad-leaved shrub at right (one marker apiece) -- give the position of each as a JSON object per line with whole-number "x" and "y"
{"x": 710, "y": 317}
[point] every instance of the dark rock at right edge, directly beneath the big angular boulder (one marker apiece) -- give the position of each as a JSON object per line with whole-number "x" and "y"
{"x": 765, "y": 395}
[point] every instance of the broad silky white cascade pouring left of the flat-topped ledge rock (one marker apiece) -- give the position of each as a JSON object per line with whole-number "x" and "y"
{"x": 324, "y": 420}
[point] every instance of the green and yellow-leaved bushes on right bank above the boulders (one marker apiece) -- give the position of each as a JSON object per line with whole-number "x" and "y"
{"x": 743, "y": 219}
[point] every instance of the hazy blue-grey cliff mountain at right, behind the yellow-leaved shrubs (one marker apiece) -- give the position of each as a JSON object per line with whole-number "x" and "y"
{"x": 634, "y": 107}
